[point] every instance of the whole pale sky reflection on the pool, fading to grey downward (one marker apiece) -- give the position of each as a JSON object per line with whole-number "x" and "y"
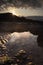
{"x": 21, "y": 41}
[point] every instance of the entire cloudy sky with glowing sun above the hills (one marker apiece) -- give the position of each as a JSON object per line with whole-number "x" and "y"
{"x": 22, "y": 7}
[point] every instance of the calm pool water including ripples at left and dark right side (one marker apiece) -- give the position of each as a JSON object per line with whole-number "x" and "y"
{"x": 21, "y": 41}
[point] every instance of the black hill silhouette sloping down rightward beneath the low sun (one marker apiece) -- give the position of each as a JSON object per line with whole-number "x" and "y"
{"x": 8, "y": 17}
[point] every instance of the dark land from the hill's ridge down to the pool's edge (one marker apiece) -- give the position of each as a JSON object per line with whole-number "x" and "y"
{"x": 12, "y": 23}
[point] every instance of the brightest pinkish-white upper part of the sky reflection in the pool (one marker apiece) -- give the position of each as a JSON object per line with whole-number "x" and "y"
{"x": 23, "y": 35}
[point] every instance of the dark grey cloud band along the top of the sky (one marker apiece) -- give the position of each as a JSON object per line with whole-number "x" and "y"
{"x": 22, "y": 3}
